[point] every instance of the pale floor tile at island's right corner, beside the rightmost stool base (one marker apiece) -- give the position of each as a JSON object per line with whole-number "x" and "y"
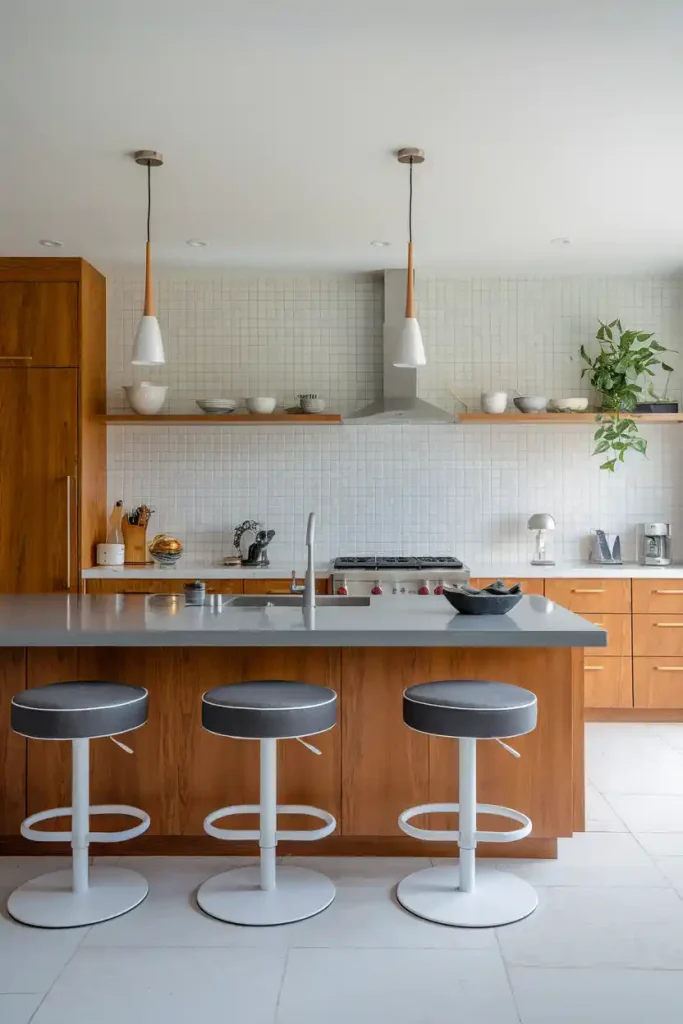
{"x": 591, "y": 860}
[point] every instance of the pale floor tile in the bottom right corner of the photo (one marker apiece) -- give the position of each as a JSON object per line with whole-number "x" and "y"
{"x": 605, "y": 996}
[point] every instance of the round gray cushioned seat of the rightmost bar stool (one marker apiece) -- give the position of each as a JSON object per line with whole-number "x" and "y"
{"x": 478, "y": 710}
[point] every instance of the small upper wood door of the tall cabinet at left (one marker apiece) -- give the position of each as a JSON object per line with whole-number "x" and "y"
{"x": 39, "y": 324}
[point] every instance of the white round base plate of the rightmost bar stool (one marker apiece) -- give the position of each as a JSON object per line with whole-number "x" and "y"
{"x": 499, "y": 899}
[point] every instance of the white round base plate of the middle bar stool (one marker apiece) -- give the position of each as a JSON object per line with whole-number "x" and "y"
{"x": 237, "y": 898}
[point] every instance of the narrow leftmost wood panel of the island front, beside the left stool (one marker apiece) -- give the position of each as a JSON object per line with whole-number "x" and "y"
{"x": 13, "y": 747}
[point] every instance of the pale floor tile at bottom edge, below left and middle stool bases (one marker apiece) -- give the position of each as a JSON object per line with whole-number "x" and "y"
{"x": 174, "y": 987}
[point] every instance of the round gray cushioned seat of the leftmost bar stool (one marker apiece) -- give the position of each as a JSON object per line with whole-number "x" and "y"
{"x": 79, "y": 710}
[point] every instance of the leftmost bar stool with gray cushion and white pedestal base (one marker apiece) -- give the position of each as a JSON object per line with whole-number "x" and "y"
{"x": 79, "y": 712}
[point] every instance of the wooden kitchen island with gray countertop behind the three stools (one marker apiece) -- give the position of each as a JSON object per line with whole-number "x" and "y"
{"x": 373, "y": 766}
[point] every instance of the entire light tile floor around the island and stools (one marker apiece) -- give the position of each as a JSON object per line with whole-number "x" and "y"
{"x": 606, "y": 945}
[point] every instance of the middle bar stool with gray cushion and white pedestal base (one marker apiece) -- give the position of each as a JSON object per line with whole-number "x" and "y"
{"x": 268, "y": 711}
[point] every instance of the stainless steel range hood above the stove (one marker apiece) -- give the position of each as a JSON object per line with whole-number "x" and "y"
{"x": 400, "y": 402}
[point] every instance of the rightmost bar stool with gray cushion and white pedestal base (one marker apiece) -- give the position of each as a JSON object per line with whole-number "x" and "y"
{"x": 468, "y": 710}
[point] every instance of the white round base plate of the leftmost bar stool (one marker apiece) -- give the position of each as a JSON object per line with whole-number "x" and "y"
{"x": 49, "y": 902}
